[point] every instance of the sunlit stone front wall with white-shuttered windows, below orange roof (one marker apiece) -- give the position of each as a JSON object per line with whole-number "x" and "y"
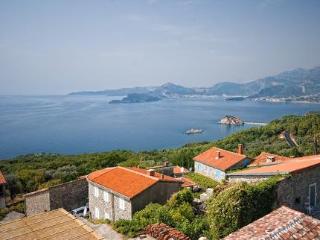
{"x": 108, "y": 209}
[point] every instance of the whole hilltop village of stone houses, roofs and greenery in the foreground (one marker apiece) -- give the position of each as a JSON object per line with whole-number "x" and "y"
{"x": 221, "y": 194}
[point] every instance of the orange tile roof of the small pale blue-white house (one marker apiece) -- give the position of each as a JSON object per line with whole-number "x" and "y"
{"x": 226, "y": 160}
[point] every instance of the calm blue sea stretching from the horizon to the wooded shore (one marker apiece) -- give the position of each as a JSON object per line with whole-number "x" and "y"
{"x": 81, "y": 124}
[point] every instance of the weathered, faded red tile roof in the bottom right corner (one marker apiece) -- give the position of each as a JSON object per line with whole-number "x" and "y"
{"x": 281, "y": 224}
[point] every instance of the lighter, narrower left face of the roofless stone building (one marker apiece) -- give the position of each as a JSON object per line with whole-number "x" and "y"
{"x": 37, "y": 202}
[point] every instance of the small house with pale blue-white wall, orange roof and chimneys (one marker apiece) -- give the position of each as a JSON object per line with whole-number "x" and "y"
{"x": 215, "y": 162}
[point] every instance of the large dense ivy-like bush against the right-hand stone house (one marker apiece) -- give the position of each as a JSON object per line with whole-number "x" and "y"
{"x": 240, "y": 205}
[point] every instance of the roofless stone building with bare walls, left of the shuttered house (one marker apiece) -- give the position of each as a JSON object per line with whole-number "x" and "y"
{"x": 68, "y": 195}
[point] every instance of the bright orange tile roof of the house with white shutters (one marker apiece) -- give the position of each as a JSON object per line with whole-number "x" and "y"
{"x": 125, "y": 181}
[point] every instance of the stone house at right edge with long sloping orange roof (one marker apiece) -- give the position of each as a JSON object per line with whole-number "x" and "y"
{"x": 301, "y": 184}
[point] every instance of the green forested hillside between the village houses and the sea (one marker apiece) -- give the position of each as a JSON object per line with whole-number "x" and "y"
{"x": 31, "y": 172}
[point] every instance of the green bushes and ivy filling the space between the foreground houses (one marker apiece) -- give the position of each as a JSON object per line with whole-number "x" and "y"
{"x": 230, "y": 208}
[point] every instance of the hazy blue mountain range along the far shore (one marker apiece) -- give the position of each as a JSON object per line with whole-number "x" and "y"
{"x": 295, "y": 83}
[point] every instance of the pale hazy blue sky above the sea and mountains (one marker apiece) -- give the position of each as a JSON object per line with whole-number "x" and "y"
{"x": 57, "y": 47}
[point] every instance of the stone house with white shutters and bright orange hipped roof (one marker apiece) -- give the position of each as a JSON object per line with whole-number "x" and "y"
{"x": 118, "y": 192}
